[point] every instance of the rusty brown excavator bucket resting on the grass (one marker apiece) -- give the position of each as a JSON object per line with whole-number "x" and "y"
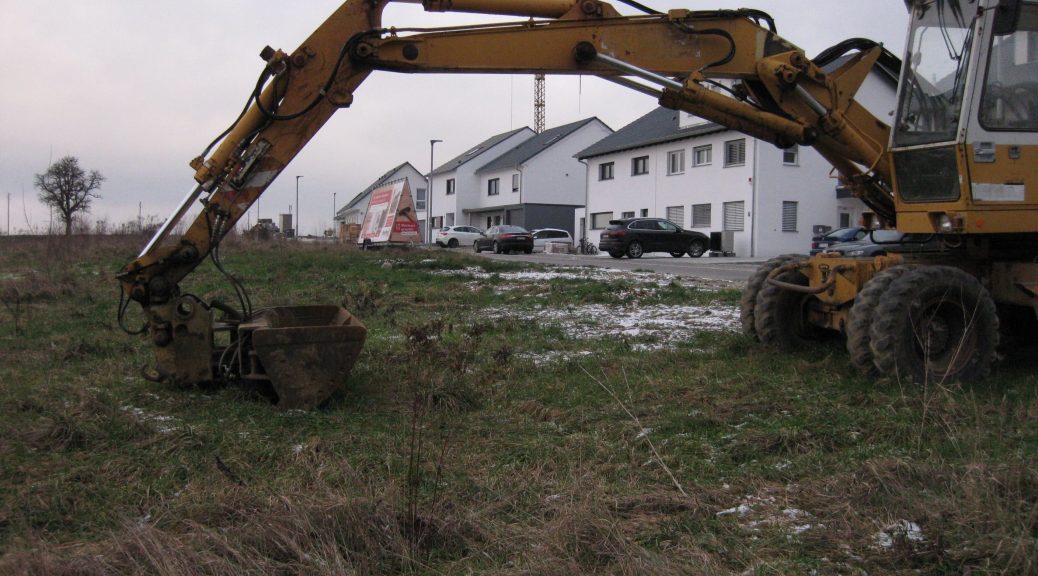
{"x": 307, "y": 352}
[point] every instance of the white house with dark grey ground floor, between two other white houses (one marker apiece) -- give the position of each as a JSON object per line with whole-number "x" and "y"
{"x": 538, "y": 184}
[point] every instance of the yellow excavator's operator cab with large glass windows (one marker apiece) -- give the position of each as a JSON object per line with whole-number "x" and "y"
{"x": 963, "y": 140}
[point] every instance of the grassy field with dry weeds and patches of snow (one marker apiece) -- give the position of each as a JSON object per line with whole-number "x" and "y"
{"x": 483, "y": 433}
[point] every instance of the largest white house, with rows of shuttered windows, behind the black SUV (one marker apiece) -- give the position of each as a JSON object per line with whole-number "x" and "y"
{"x": 703, "y": 177}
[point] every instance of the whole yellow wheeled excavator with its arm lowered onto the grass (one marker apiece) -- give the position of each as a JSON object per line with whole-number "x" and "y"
{"x": 960, "y": 163}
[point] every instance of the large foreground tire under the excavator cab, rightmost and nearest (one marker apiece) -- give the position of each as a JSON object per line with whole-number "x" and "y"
{"x": 936, "y": 324}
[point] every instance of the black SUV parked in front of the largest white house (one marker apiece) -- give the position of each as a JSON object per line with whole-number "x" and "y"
{"x": 638, "y": 236}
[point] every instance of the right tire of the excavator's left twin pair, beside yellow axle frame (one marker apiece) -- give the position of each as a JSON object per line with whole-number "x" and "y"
{"x": 780, "y": 315}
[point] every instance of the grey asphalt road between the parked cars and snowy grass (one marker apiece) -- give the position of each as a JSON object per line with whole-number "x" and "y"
{"x": 706, "y": 267}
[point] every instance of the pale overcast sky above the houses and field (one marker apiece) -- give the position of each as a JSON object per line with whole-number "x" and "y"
{"x": 135, "y": 90}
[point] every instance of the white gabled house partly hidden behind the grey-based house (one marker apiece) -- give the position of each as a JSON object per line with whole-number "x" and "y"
{"x": 456, "y": 185}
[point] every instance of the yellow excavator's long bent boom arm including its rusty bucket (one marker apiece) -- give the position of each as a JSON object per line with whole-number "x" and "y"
{"x": 782, "y": 98}
